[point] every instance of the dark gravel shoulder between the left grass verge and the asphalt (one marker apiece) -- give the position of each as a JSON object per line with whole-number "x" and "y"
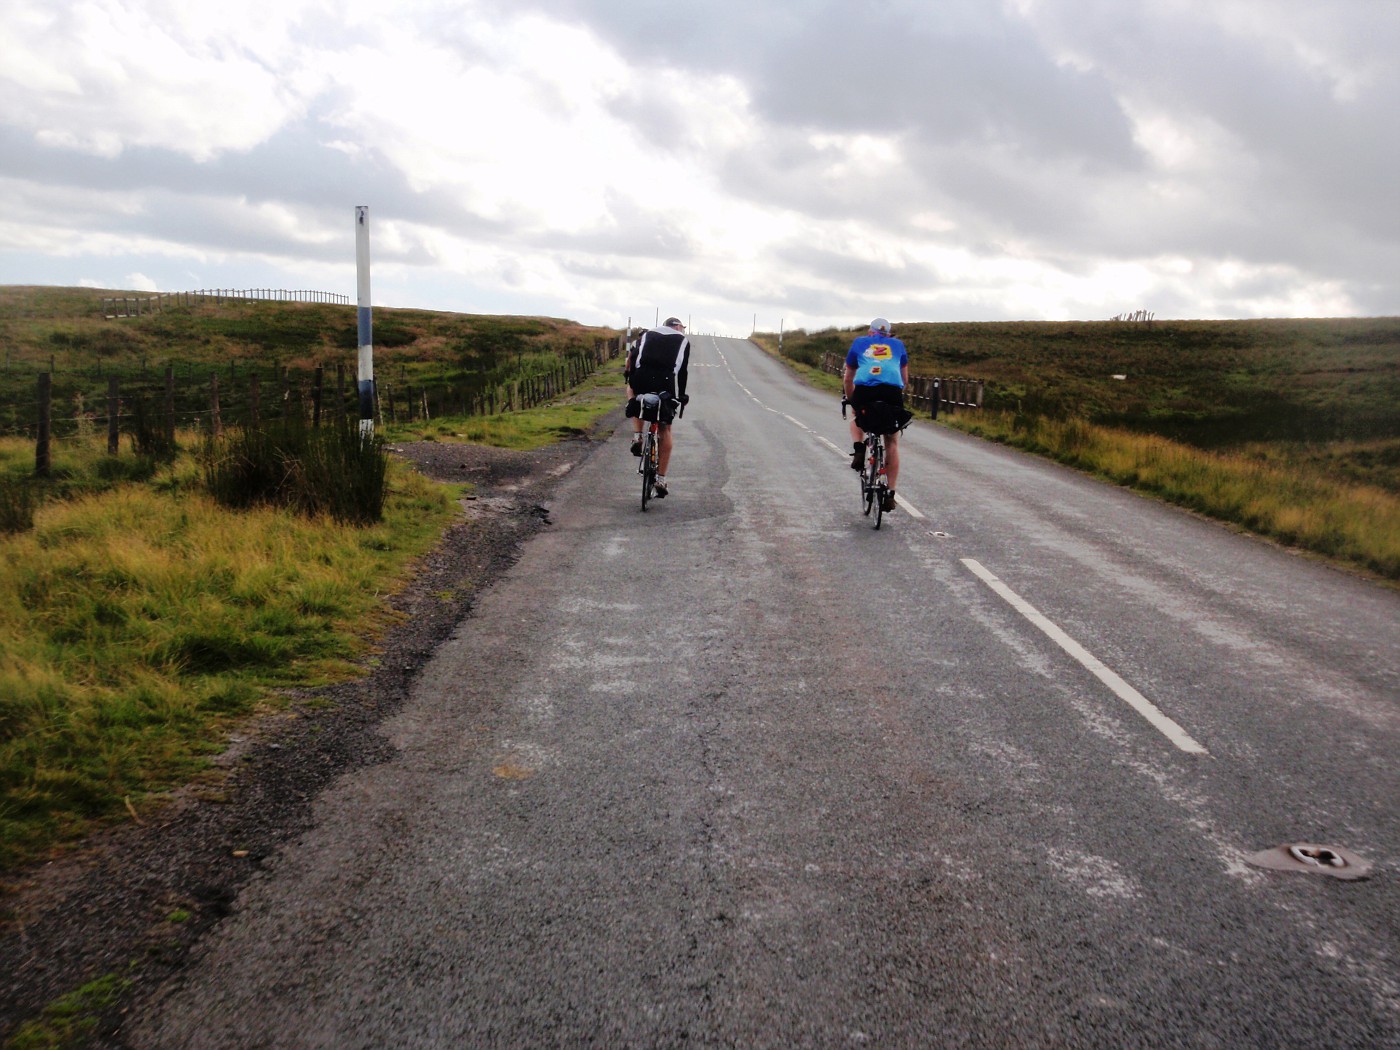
{"x": 136, "y": 898}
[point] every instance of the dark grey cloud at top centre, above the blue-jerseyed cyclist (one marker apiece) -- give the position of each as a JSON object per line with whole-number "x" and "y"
{"x": 957, "y": 71}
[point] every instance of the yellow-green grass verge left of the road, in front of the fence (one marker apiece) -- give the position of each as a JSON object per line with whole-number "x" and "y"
{"x": 142, "y": 617}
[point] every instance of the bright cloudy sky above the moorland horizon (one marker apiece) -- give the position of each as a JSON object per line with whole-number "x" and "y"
{"x": 803, "y": 162}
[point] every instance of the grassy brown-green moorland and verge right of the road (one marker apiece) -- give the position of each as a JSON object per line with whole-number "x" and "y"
{"x": 1287, "y": 428}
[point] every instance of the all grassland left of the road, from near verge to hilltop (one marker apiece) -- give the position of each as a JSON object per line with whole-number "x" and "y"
{"x": 143, "y": 611}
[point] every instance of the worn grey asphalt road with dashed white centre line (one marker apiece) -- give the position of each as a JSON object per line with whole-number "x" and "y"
{"x": 743, "y": 771}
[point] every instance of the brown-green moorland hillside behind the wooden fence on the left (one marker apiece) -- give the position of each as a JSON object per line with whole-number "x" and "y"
{"x": 451, "y": 359}
